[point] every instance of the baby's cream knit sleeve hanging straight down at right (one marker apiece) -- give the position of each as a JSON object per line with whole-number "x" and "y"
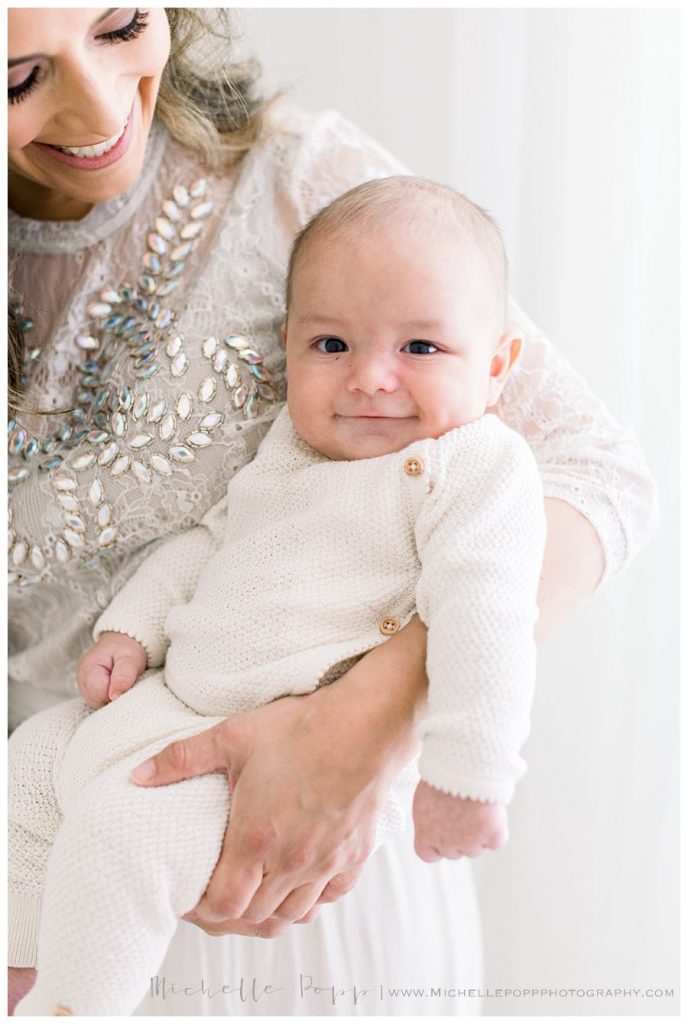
{"x": 481, "y": 537}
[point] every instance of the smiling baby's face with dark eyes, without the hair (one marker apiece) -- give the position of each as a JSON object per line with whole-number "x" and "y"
{"x": 386, "y": 342}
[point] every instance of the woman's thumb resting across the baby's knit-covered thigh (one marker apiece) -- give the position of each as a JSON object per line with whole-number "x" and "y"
{"x": 186, "y": 759}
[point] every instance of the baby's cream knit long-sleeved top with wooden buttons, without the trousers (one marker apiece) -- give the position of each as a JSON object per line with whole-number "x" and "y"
{"x": 294, "y": 574}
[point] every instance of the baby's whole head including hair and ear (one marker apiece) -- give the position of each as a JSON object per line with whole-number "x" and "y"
{"x": 396, "y": 324}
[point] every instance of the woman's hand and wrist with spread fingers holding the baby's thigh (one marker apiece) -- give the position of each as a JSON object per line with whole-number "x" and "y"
{"x": 308, "y": 777}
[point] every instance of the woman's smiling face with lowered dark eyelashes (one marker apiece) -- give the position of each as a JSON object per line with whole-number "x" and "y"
{"x": 82, "y": 94}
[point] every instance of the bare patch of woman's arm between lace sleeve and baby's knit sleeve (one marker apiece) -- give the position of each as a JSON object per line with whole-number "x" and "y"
{"x": 573, "y": 567}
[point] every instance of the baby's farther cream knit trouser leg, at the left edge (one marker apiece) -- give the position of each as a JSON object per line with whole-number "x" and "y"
{"x": 35, "y": 753}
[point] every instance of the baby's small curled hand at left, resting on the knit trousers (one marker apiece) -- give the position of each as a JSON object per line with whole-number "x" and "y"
{"x": 110, "y": 668}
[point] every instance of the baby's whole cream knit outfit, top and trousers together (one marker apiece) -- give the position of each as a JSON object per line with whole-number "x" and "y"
{"x": 300, "y": 570}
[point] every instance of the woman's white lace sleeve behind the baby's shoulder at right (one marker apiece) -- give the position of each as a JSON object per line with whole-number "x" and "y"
{"x": 585, "y": 456}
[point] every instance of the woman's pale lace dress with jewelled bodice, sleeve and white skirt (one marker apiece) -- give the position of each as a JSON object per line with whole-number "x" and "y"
{"x": 154, "y": 321}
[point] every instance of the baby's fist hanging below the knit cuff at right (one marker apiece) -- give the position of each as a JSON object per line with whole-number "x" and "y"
{"x": 451, "y": 827}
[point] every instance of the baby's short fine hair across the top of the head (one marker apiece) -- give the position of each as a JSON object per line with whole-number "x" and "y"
{"x": 417, "y": 202}
